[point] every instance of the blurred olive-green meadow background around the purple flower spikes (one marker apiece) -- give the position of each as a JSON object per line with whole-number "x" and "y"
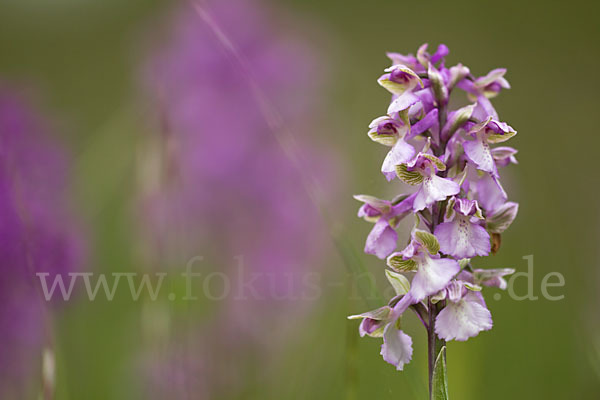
{"x": 80, "y": 58}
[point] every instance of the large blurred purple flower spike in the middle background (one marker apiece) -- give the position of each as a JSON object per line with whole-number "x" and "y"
{"x": 228, "y": 186}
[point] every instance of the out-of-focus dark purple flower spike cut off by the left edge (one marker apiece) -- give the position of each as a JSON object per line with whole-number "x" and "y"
{"x": 36, "y": 235}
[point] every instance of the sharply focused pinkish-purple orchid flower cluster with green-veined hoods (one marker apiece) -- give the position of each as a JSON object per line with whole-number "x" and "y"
{"x": 444, "y": 152}
